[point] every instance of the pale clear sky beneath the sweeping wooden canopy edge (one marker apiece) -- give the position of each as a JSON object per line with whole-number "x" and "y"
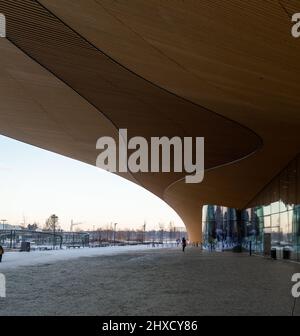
{"x": 35, "y": 183}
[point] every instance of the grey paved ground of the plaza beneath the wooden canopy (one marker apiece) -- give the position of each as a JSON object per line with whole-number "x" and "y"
{"x": 153, "y": 282}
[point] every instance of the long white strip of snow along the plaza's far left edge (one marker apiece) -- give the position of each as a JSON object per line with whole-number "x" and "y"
{"x": 16, "y": 259}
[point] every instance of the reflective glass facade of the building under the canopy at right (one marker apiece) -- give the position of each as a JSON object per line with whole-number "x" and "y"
{"x": 275, "y": 210}
